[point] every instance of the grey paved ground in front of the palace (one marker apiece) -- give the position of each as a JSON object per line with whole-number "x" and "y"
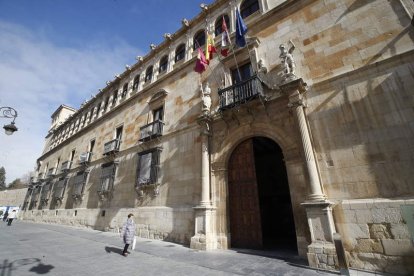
{"x": 30, "y": 249}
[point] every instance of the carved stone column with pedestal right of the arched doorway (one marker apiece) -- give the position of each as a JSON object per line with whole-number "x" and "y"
{"x": 321, "y": 252}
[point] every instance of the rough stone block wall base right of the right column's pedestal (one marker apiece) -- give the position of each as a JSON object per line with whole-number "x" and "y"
{"x": 375, "y": 235}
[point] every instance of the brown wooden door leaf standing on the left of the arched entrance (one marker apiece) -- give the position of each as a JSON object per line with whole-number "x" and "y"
{"x": 245, "y": 224}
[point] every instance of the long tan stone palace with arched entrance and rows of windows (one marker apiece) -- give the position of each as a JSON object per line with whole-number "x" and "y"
{"x": 302, "y": 138}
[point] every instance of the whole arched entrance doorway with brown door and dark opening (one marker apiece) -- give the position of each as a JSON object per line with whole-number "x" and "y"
{"x": 260, "y": 208}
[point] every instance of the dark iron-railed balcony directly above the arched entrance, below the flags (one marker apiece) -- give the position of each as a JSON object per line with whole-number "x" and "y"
{"x": 240, "y": 93}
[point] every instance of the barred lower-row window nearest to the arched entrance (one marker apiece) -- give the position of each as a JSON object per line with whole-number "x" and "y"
{"x": 148, "y": 167}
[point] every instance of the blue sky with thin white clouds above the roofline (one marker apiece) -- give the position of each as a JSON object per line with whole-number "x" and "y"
{"x": 56, "y": 52}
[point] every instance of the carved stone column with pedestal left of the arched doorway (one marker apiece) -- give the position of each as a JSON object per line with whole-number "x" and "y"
{"x": 205, "y": 236}
